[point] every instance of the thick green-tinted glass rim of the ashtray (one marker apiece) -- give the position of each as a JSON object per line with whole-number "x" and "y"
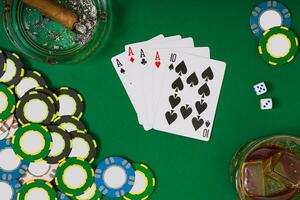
{"x": 12, "y": 29}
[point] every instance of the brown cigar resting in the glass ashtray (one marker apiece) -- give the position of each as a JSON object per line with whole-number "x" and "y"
{"x": 54, "y": 11}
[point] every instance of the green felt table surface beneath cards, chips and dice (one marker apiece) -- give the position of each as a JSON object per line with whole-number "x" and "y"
{"x": 185, "y": 168}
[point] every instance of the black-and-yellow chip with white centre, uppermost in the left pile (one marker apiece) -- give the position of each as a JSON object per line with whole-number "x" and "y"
{"x": 14, "y": 70}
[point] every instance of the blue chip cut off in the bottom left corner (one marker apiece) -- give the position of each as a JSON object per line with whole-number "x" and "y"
{"x": 9, "y": 188}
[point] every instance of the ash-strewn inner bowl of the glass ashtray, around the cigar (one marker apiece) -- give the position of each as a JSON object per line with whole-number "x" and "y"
{"x": 55, "y": 37}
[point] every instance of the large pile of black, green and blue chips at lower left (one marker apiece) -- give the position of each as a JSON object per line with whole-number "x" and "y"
{"x": 46, "y": 152}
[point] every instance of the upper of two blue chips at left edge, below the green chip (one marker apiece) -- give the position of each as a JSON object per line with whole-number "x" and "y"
{"x": 10, "y": 164}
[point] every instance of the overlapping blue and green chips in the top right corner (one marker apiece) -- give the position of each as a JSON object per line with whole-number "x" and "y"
{"x": 270, "y": 21}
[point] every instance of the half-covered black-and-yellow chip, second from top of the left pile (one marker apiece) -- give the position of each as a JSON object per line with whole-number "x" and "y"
{"x": 31, "y": 79}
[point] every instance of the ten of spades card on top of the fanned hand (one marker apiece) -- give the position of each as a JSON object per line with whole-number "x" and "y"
{"x": 189, "y": 96}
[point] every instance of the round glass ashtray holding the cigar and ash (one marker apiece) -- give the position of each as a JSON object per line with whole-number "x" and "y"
{"x": 47, "y": 41}
